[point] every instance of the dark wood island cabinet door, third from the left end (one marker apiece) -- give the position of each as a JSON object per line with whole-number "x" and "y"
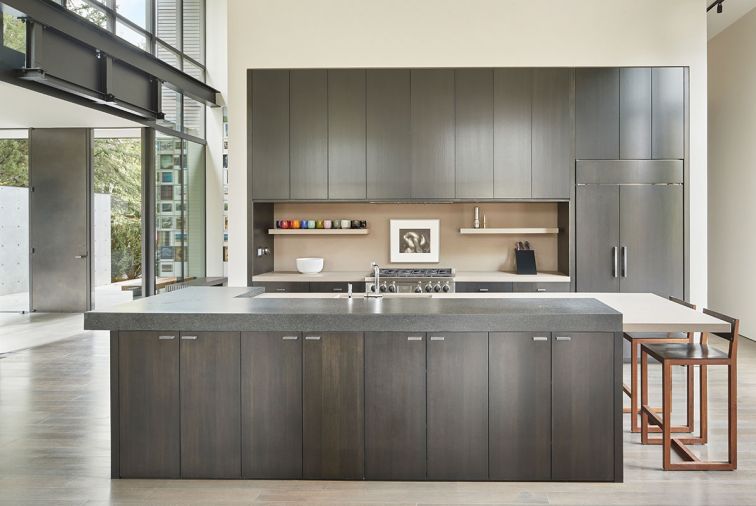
{"x": 271, "y": 390}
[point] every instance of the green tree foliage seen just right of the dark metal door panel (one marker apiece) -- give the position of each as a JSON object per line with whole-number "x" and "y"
{"x": 118, "y": 171}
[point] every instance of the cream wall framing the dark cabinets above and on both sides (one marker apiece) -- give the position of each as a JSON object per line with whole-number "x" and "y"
{"x": 465, "y": 33}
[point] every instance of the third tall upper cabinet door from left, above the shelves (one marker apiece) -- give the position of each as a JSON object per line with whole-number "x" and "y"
{"x": 346, "y": 134}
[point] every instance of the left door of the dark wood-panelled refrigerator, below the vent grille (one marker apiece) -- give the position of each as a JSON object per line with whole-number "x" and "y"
{"x": 597, "y": 231}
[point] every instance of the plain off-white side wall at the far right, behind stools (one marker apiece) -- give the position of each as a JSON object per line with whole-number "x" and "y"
{"x": 732, "y": 178}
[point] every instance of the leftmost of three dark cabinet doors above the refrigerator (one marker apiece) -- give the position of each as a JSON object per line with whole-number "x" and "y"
{"x": 597, "y": 113}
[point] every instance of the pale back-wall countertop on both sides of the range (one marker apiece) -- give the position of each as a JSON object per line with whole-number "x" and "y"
{"x": 460, "y": 276}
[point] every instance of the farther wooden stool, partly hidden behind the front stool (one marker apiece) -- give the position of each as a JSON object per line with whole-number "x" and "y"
{"x": 638, "y": 339}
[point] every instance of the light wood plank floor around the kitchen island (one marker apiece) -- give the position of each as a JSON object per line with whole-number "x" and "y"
{"x": 55, "y": 449}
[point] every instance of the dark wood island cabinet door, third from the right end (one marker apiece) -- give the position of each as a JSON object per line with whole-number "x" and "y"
{"x": 458, "y": 406}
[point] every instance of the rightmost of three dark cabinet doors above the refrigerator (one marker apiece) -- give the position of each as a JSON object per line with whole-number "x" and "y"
{"x": 668, "y": 112}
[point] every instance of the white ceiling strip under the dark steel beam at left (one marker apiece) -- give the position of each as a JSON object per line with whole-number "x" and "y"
{"x": 23, "y": 108}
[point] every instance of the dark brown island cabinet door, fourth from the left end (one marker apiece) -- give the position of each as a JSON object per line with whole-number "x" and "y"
{"x": 333, "y": 409}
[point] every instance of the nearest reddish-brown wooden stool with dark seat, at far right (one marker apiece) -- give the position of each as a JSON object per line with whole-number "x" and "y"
{"x": 691, "y": 355}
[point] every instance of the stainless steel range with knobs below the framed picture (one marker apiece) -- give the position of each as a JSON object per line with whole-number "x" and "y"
{"x": 413, "y": 280}
